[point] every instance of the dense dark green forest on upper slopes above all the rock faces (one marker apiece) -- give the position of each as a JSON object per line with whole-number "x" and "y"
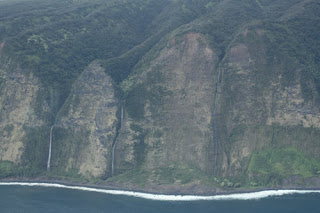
{"x": 57, "y": 39}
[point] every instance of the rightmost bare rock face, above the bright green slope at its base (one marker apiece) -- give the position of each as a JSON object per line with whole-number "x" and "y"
{"x": 262, "y": 110}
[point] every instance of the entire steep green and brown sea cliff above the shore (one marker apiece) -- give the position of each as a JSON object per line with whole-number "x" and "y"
{"x": 214, "y": 93}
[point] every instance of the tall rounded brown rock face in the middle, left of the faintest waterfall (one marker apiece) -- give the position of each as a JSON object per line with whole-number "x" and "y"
{"x": 184, "y": 119}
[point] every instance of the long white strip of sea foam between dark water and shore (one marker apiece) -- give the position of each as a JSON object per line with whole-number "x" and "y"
{"x": 238, "y": 196}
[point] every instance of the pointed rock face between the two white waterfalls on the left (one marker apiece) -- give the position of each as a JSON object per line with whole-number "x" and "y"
{"x": 86, "y": 125}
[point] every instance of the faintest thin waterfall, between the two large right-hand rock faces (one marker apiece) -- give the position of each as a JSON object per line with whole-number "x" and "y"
{"x": 215, "y": 131}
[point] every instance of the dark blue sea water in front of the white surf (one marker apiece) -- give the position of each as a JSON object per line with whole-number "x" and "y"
{"x": 41, "y": 199}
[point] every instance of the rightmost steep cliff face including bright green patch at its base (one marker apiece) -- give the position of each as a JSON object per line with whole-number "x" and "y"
{"x": 264, "y": 109}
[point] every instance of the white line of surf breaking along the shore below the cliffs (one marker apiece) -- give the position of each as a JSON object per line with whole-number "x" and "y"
{"x": 234, "y": 195}
